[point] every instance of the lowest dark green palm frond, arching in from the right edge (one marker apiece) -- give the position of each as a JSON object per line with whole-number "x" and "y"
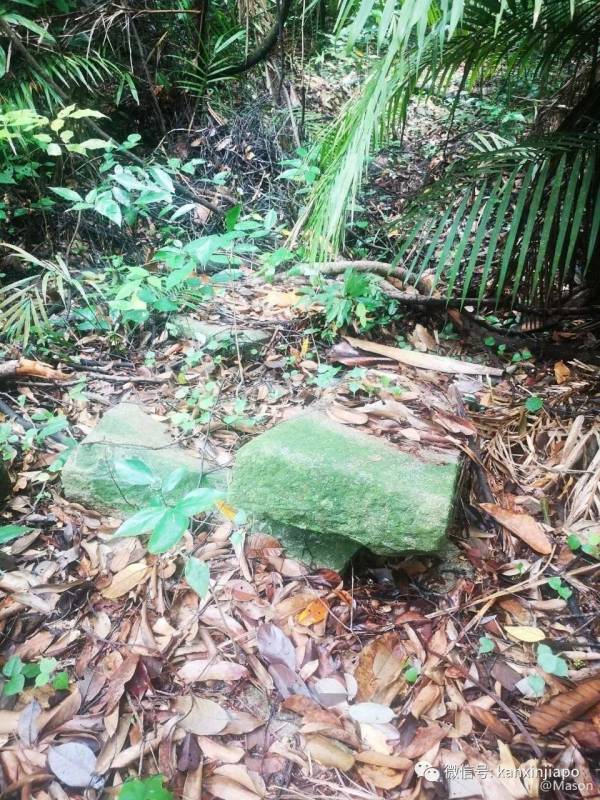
{"x": 533, "y": 209}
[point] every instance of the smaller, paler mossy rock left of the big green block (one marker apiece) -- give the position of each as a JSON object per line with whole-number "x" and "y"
{"x": 127, "y": 431}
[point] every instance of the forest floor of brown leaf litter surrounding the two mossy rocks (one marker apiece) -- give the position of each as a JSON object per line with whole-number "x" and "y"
{"x": 473, "y": 676}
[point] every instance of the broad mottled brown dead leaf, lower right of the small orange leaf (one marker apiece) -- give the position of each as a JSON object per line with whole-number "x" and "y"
{"x": 379, "y": 672}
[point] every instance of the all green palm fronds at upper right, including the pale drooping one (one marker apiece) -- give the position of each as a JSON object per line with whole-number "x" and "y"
{"x": 534, "y": 206}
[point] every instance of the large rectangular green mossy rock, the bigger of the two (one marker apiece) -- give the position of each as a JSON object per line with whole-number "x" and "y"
{"x": 318, "y": 475}
